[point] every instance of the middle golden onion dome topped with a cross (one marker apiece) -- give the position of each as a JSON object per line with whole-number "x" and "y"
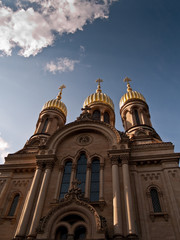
{"x": 98, "y": 97}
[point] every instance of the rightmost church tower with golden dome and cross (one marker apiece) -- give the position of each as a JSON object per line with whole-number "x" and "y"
{"x": 135, "y": 115}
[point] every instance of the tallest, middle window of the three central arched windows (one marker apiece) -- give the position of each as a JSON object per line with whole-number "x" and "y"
{"x": 81, "y": 171}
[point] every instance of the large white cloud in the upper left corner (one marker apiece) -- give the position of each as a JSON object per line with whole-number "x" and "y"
{"x": 31, "y": 26}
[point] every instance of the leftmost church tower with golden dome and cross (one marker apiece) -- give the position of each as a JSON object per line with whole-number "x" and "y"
{"x": 52, "y": 116}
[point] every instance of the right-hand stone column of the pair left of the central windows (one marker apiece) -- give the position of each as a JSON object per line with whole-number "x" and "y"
{"x": 40, "y": 201}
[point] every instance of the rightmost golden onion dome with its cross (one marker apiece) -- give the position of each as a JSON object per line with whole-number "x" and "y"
{"x": 130, "y": 95}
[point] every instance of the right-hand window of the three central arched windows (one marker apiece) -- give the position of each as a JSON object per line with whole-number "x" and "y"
{"x": 94, "y": 190}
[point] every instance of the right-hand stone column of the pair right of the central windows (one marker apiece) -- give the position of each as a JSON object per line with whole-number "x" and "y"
{"x": 130, "y": 220}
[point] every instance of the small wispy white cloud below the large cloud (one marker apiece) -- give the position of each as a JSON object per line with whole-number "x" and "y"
{"x": 62, "y": 65}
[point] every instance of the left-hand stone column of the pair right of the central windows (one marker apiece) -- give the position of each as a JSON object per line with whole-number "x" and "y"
{"x": 117, "y": 212}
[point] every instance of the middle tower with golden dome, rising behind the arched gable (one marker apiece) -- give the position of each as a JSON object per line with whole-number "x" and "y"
{"x": 101, "y": 106}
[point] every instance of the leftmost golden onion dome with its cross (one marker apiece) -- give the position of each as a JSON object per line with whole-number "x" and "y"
{"x": 56, "y": 103}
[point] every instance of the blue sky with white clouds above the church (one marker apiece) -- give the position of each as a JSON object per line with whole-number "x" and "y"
{"x": 74, "y": 42}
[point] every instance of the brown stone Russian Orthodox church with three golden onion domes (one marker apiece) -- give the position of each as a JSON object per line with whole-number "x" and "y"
{"x": 88, "y": 180}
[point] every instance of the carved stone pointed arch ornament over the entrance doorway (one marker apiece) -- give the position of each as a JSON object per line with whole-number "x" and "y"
{"x": 74, "y": 195}
